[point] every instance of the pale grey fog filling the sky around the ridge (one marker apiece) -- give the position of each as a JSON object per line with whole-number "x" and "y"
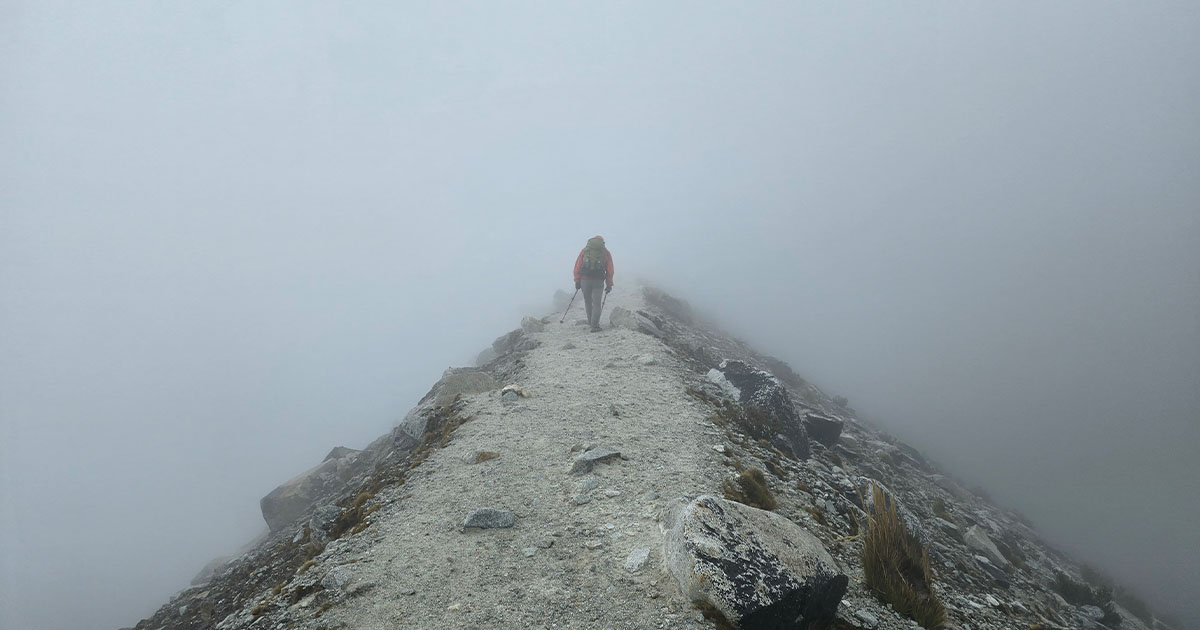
{"x": 235, "y": 236}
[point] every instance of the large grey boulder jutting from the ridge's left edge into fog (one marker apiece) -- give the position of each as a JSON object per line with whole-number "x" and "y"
{"x": 287, "y": 503}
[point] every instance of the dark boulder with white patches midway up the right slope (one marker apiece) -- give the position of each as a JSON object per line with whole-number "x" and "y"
{"x": 770, "y": 413}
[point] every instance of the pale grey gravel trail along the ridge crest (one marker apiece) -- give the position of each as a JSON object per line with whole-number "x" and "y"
{"x": 565, "y": 562}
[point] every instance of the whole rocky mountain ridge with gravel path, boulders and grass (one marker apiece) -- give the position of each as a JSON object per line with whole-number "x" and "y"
{"x": 656, "y": 475}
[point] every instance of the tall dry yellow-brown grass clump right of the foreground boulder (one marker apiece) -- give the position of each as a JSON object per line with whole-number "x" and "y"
{"x": 897, "y": 567}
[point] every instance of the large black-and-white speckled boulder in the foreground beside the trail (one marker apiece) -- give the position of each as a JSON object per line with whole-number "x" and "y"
{"x": 757, "y": 568}
